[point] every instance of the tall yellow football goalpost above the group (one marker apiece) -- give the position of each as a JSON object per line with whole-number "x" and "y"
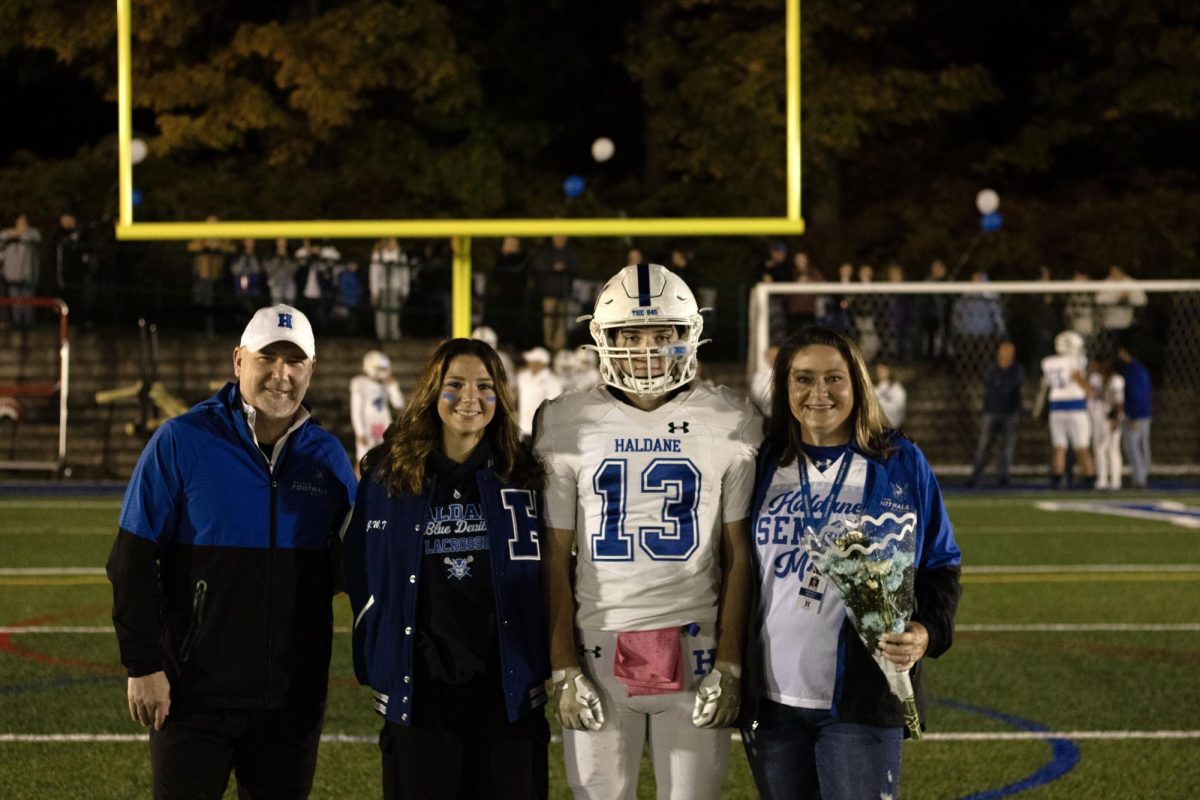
{"x": 460, "y": 232}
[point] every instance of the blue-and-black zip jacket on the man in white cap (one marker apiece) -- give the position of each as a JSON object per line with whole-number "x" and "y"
{"x": 224, "y": 568}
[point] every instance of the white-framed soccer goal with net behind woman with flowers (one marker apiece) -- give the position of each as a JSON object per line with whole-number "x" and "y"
{"x": 939, "y": 340}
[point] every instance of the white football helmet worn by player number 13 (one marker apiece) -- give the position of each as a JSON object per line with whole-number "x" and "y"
{"x": 646, "y": 296}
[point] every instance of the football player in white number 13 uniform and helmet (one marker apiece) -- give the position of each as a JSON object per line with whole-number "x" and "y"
{"x": 650, "y": 479}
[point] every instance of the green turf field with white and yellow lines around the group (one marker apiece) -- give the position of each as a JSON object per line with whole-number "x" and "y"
{"x": 1076, "y": 672}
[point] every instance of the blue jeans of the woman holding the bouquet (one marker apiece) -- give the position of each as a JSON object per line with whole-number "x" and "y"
{"x": 807, "y": 755}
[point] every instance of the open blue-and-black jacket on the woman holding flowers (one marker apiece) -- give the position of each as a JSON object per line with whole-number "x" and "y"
{"x": 902, "y": 483}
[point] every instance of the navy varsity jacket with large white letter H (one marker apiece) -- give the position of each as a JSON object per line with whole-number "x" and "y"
{"x": 382, "y": 555}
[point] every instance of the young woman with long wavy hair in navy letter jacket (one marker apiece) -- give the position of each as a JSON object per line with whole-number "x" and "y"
{"x": 443, "y": 570}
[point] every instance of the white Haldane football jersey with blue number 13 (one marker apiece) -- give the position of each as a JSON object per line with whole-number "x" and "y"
{"x": 647, "y": 495}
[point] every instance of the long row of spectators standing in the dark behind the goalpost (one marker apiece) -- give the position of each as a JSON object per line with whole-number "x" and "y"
{"x": 530, "y": 292}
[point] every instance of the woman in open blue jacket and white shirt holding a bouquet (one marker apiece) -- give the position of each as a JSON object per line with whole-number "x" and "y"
{"x": 820, "y": 719}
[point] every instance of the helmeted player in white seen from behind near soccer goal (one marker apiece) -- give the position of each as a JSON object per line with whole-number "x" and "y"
{"x": 1065, "y": 381}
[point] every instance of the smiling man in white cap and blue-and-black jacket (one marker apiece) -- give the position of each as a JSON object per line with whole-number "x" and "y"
{"x": 223, "y": 576}
